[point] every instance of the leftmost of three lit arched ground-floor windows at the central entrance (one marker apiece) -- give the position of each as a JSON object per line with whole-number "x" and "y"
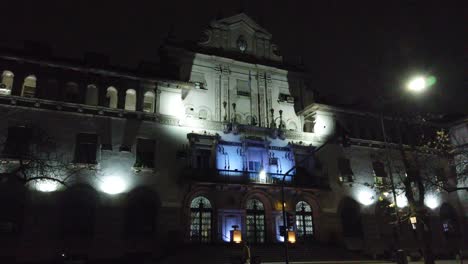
{"x": 200, "y": 219}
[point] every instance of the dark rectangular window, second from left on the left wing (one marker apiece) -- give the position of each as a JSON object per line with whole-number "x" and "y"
{"x": 86, "y": 148}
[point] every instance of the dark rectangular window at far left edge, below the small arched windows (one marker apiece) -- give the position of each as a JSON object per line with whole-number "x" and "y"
{"x": 18, "y": 142}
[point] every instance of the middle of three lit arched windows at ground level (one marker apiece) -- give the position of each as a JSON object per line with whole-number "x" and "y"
{"x": 255, "y": 221}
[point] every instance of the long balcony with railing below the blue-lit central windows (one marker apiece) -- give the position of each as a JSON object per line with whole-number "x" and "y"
{"x": 250, "y": 177}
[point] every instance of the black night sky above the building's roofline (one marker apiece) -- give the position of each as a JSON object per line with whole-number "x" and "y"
{"x": 351, "y": 50}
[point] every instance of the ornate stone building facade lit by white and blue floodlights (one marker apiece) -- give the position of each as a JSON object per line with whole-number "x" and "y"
{"x": 114, "y": 162}
